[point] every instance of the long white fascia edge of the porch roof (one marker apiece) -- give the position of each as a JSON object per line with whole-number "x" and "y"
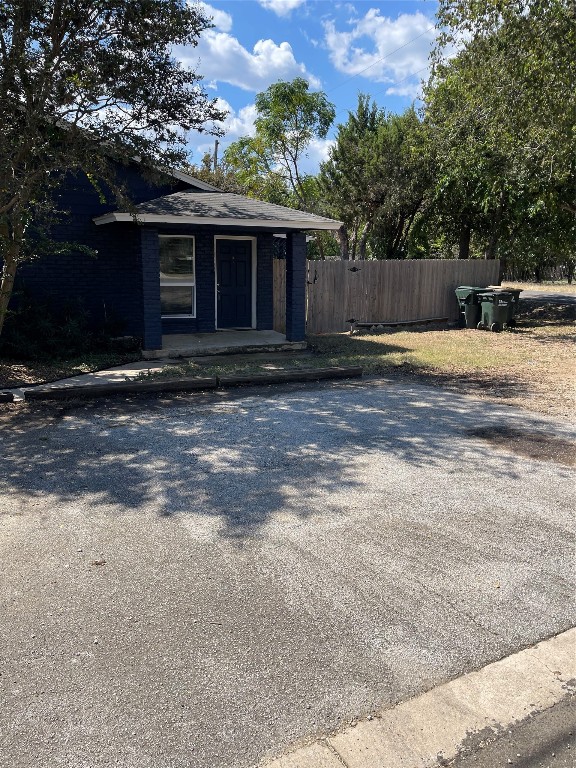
{"x": 275, "y": 224}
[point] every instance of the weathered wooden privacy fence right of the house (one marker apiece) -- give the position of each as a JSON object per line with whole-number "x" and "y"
{"x": 381, "y": 291}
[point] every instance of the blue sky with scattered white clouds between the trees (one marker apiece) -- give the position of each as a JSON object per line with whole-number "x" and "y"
{"x": 377, "y": 47}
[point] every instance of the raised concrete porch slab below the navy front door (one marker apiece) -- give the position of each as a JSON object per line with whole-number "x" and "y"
{"x": 221, "y": 343}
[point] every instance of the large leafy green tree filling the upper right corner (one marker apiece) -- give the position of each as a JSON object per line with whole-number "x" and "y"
{"x": 501, "y": 120}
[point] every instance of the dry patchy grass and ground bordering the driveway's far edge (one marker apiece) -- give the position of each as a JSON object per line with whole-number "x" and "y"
{"x": 531, "y": 366}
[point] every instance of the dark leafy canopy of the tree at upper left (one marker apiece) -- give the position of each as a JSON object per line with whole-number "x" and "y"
{"x": 84, "y": 86}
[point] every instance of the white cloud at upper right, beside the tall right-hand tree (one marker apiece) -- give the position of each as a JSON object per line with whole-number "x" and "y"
{"x": 383, "y": 49}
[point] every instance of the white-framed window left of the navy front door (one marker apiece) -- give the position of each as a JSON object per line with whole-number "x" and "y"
{"x": 177, "y": 277}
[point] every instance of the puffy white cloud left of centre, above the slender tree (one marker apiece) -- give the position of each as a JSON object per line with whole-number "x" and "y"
{"x": 221, "y": 57}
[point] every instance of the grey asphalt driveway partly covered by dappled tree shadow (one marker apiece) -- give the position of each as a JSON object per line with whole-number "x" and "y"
{"x": 199, "y": 583}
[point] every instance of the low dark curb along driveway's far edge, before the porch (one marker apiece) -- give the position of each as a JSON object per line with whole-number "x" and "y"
{"x": 184, "y": 384}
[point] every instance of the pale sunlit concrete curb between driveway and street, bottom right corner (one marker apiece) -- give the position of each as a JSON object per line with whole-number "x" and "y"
{"x": 429, "y": 731}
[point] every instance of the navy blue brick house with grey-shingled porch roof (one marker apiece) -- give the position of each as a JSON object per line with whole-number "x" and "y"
{"x": 189, "y": 259}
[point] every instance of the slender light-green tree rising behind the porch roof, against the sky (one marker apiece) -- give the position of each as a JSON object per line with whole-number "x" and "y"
{"x": 289, "y": 117}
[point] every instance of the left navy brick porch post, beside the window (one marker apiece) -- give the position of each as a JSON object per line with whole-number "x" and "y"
{"x": 151, "y": 318}
